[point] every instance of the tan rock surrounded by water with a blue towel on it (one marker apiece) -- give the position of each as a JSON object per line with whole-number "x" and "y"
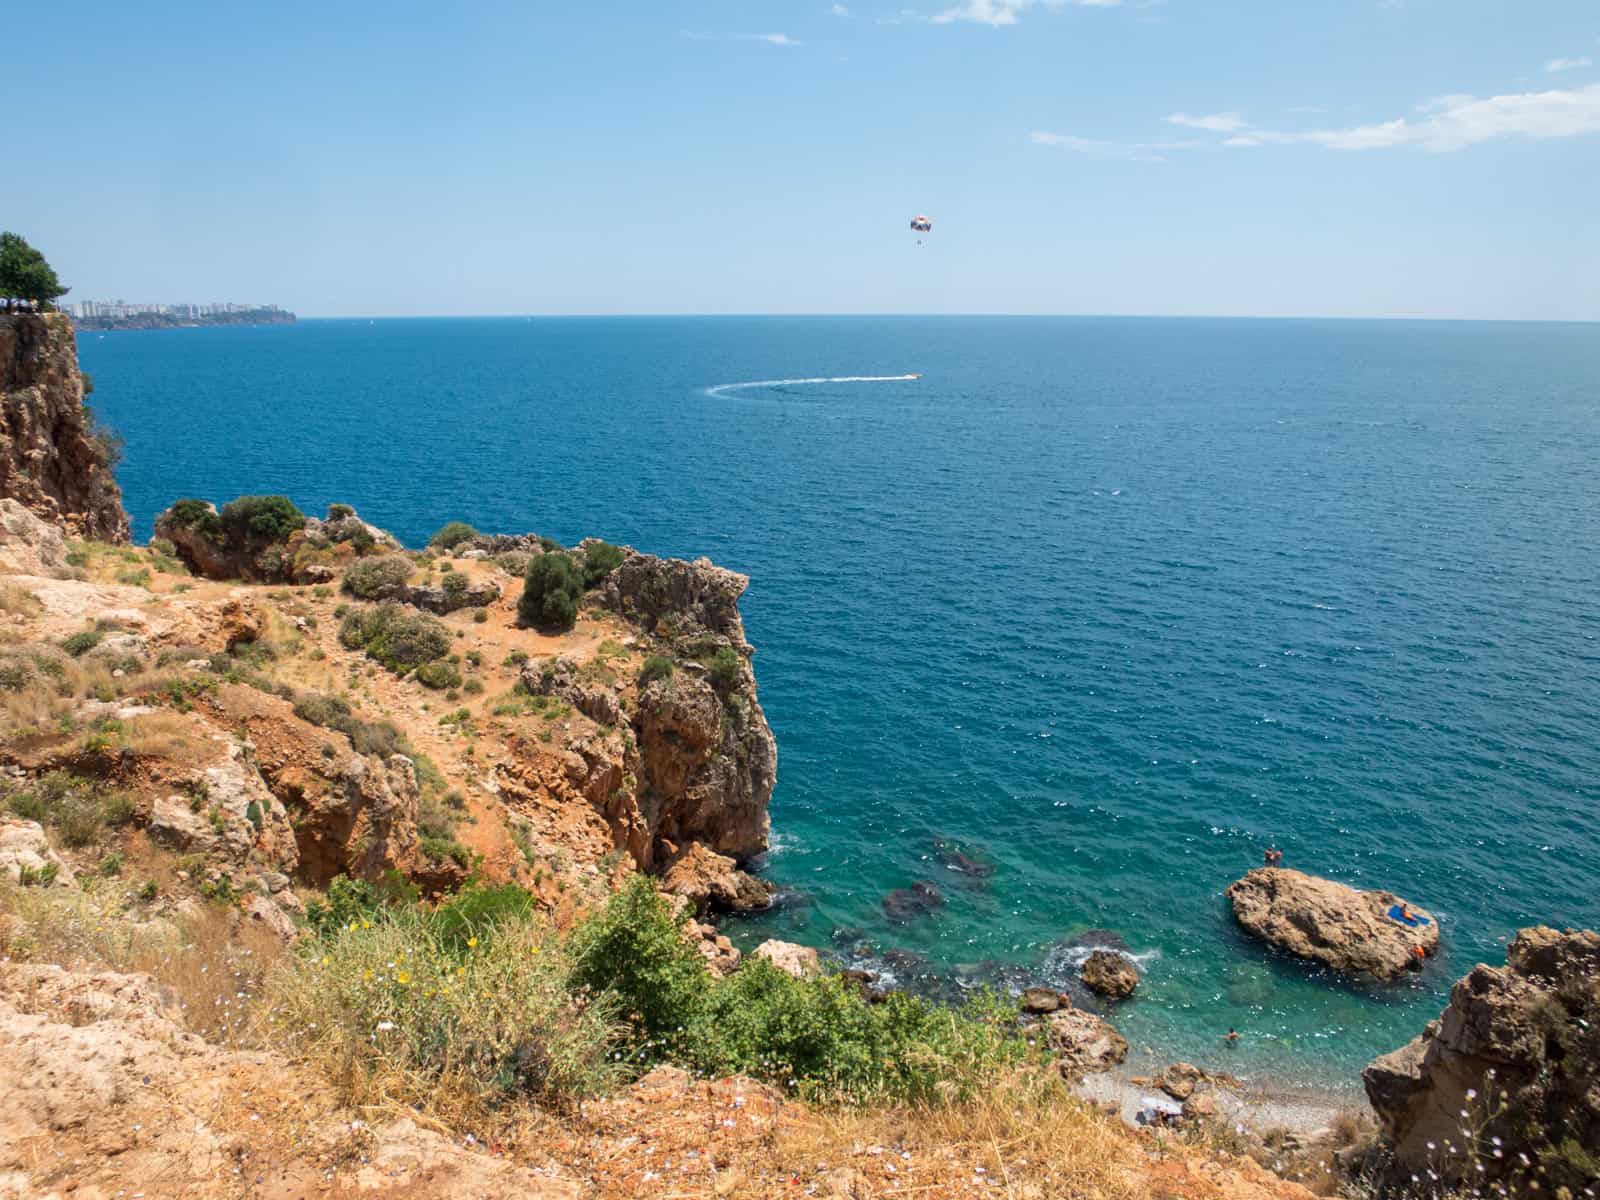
{"x": 1330, "y": 924}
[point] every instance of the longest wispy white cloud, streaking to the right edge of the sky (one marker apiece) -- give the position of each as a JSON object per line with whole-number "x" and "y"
{"x": 1439, "y": 126}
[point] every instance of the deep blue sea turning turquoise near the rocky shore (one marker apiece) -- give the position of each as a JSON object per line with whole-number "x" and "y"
{"x": 1113, "y": 604}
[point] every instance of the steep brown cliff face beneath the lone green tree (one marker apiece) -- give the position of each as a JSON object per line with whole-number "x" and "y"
{"x": 50, "y": 457}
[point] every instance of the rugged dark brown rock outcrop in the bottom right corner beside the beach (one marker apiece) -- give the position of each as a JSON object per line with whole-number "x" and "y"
{"x": 1519, "y": 1052}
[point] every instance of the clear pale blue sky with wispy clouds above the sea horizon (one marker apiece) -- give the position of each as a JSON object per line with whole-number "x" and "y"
{"x": 1266, "y": 158}
